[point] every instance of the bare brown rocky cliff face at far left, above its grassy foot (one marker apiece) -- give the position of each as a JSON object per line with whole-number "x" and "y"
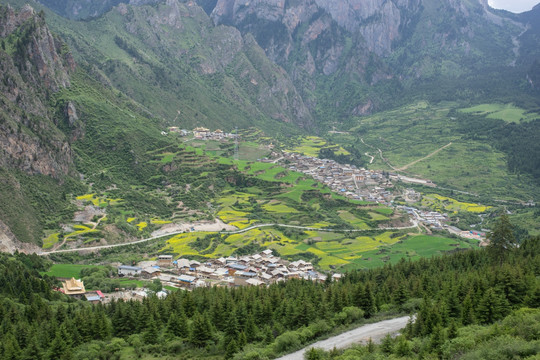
{"x": 33, "y": 66}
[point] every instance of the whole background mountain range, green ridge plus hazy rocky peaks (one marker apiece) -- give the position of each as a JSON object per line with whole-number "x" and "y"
{"x": 335, "y": 59}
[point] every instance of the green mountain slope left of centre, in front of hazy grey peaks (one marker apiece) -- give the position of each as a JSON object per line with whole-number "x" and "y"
{"x": 170, "y": 58}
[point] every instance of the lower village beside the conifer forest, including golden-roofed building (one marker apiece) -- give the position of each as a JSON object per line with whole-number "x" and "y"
{"x": 260, "y": 269}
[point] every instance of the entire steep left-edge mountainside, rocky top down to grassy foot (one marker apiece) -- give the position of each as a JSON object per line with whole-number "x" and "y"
{"x": 35, "y": 155}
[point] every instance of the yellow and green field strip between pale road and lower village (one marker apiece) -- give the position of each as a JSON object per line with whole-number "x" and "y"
{"x": 327, "y": 250}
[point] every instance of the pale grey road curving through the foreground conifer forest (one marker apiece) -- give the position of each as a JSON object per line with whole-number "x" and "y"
{"x": 375, "y": 331}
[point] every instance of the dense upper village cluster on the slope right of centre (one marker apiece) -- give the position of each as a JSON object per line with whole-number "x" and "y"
{"x": 354, "y": 183}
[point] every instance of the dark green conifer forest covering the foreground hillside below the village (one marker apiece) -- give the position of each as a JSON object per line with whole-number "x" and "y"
{"x": 452, "y": 297}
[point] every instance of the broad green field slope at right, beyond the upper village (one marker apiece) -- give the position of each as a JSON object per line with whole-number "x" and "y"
{"x": 413, "y": 132}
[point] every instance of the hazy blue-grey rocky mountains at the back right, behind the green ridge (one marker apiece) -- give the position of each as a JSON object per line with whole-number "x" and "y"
{"x": 353, "y": 57}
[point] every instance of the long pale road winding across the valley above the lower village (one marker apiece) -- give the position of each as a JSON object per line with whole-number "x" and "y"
{"x": 93, "y": 248}
